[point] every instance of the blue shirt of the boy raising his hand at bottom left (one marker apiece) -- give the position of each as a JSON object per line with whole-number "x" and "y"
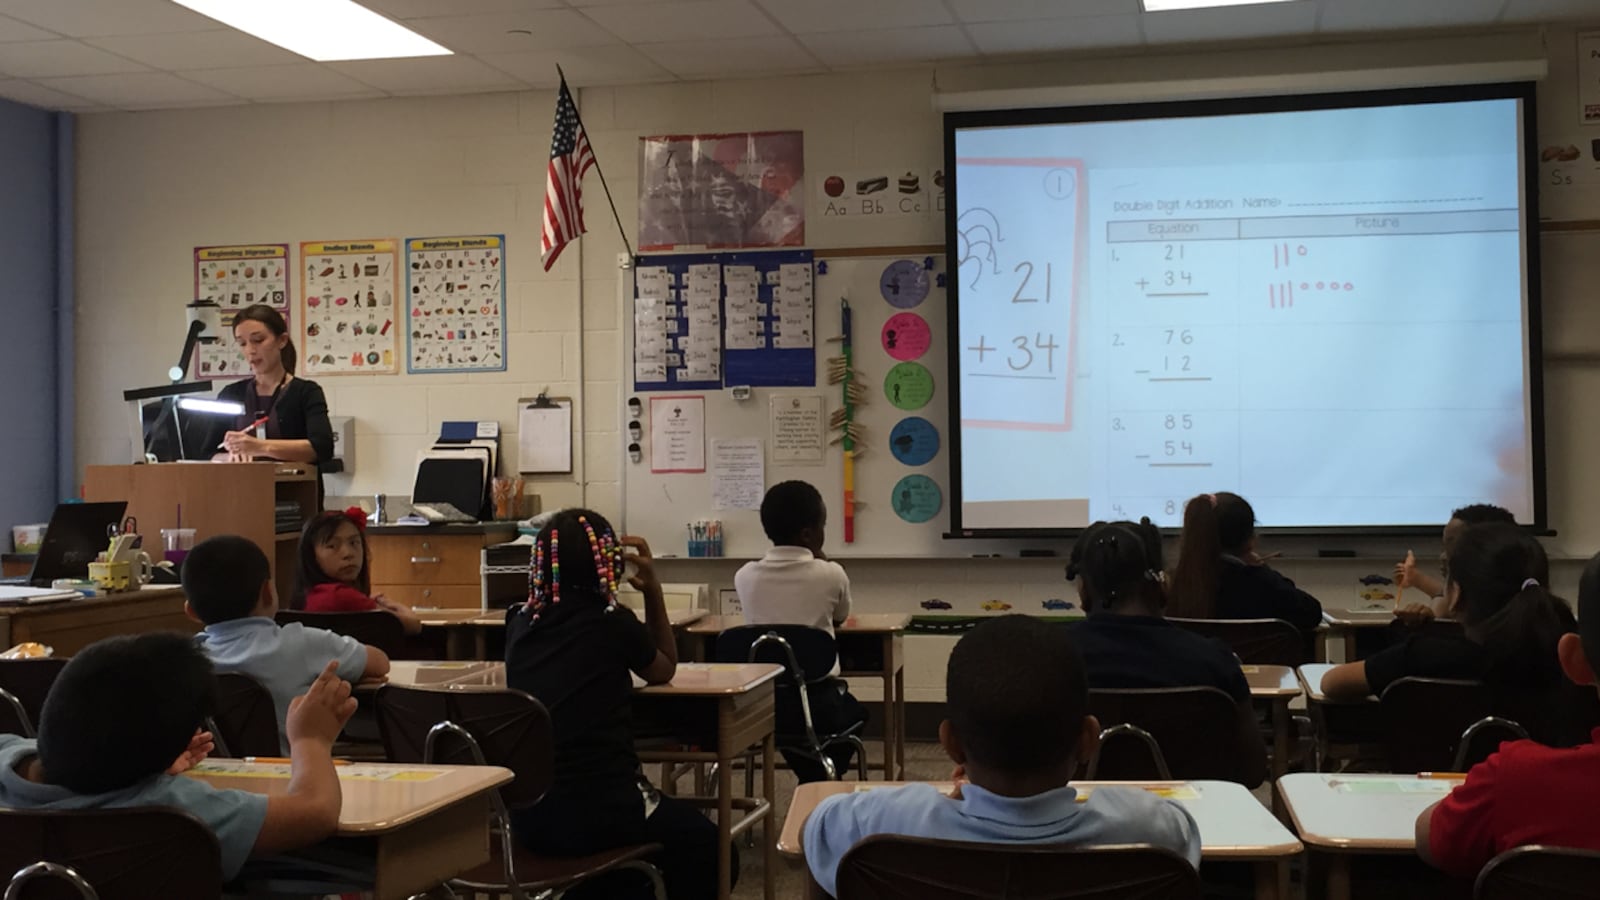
{"x": 234, "y": 818}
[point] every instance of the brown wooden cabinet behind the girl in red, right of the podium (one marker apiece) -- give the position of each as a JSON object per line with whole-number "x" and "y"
{"x": 438, "y": 568}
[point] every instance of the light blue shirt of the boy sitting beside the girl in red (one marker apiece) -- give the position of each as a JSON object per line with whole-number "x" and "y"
{"x": 284, "y": 659}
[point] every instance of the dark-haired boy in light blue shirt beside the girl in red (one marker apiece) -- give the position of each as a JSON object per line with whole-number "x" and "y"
{"x": 230, "y": 590}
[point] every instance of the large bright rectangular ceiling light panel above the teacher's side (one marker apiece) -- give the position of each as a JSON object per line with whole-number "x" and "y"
{"x": 322, "y": 30}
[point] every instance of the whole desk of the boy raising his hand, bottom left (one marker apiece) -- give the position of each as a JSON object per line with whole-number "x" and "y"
{"x": 422, "y": 832}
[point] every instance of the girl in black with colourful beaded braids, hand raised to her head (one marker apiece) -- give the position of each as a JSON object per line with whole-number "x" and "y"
{"x": 575, "y": 649}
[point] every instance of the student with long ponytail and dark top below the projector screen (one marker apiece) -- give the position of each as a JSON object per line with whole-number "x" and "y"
{"x": 1220, "y": 576}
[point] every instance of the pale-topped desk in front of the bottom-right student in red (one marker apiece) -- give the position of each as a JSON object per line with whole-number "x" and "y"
{"x": 1343, "y": 816}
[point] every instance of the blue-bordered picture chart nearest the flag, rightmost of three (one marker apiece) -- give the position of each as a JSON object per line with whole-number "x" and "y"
{"x": 455, "y": 303}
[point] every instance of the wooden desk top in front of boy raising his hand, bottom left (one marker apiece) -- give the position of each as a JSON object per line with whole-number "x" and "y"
{"x": 378, "y": 798}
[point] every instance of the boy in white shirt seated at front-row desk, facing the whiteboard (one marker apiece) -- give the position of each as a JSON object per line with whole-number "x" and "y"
{"x": 798, "y": 585}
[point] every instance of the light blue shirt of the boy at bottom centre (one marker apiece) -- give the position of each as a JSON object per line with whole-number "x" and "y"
{"x": 1110, "y": 816}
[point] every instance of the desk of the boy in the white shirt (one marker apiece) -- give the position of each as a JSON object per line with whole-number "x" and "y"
{"x": 871, "y": 638}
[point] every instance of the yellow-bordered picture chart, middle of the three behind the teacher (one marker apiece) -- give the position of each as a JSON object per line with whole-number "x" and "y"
{"x": 350, "y": 307}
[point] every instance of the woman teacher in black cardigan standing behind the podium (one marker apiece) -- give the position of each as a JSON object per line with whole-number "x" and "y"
{"x": 297, "y": 427}
